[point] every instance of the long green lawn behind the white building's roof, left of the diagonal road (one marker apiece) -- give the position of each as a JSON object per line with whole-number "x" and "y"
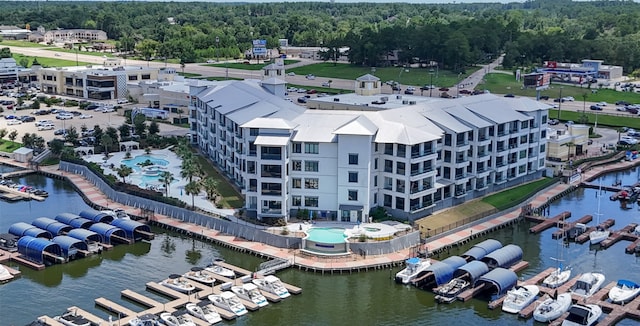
{"x": 407, "y": 76}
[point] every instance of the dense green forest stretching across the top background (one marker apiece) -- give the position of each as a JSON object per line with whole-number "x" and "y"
{"x": 455, "y": 35}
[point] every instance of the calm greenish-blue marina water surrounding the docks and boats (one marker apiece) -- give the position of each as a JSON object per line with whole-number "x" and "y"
{"x": 365, "y": 298}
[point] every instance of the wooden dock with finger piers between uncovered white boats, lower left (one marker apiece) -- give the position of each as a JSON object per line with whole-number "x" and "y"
{"x": 177, "y": 299}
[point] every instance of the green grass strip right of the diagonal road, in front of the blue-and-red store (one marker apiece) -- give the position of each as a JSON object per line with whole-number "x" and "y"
{"x": 500, "y": 83}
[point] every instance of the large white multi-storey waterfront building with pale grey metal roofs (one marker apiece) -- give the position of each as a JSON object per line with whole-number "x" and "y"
{"x": 347, "y": 154}
